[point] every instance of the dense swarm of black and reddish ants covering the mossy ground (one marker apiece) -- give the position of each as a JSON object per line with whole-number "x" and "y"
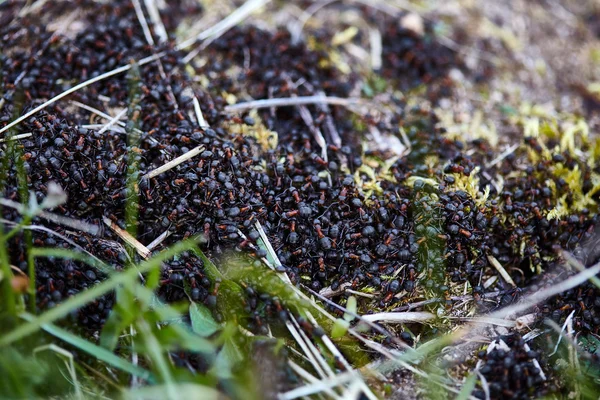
{"x": 411, "y": 236}
